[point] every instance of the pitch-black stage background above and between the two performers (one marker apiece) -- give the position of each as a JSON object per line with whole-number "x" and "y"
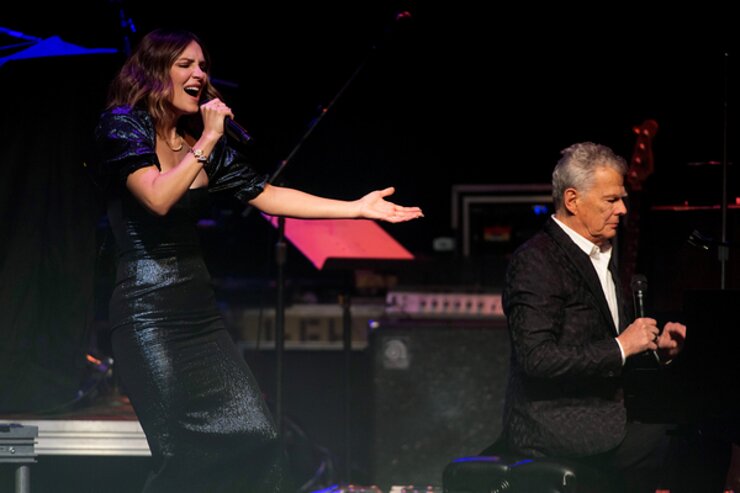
{"x": 451, "y": 95}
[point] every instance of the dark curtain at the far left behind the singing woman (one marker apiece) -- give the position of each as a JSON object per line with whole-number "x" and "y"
{"x": 48, "y": 214}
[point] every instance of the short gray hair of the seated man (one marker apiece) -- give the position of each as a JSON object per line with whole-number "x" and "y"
{"x": 577, "y": 167}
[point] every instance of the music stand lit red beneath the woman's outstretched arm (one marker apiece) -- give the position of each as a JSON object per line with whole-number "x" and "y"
{"x": 344, "y": 244}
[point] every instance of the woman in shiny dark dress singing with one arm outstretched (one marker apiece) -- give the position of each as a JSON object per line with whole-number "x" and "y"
{"x": 163, "y": 151}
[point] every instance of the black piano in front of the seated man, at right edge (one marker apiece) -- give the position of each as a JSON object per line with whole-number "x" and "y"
{"x": 698, "y": 391}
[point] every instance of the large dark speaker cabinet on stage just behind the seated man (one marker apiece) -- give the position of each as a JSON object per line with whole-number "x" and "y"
{"x": 438, "y": 392}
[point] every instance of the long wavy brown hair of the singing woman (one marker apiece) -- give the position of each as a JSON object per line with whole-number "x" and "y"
{"x": 144, "y": 79}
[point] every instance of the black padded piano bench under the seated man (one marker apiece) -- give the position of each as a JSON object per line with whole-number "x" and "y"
{"x": 511, "y": 473}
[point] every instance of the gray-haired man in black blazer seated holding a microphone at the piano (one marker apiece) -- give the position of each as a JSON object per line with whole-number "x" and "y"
{"x": 571, "y": 336}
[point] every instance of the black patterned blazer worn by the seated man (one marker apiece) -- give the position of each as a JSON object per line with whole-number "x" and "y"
{"x": 564, "y": 395}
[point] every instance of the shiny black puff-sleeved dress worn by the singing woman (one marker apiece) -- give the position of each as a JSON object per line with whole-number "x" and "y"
{"x": 205, "y": 420}
